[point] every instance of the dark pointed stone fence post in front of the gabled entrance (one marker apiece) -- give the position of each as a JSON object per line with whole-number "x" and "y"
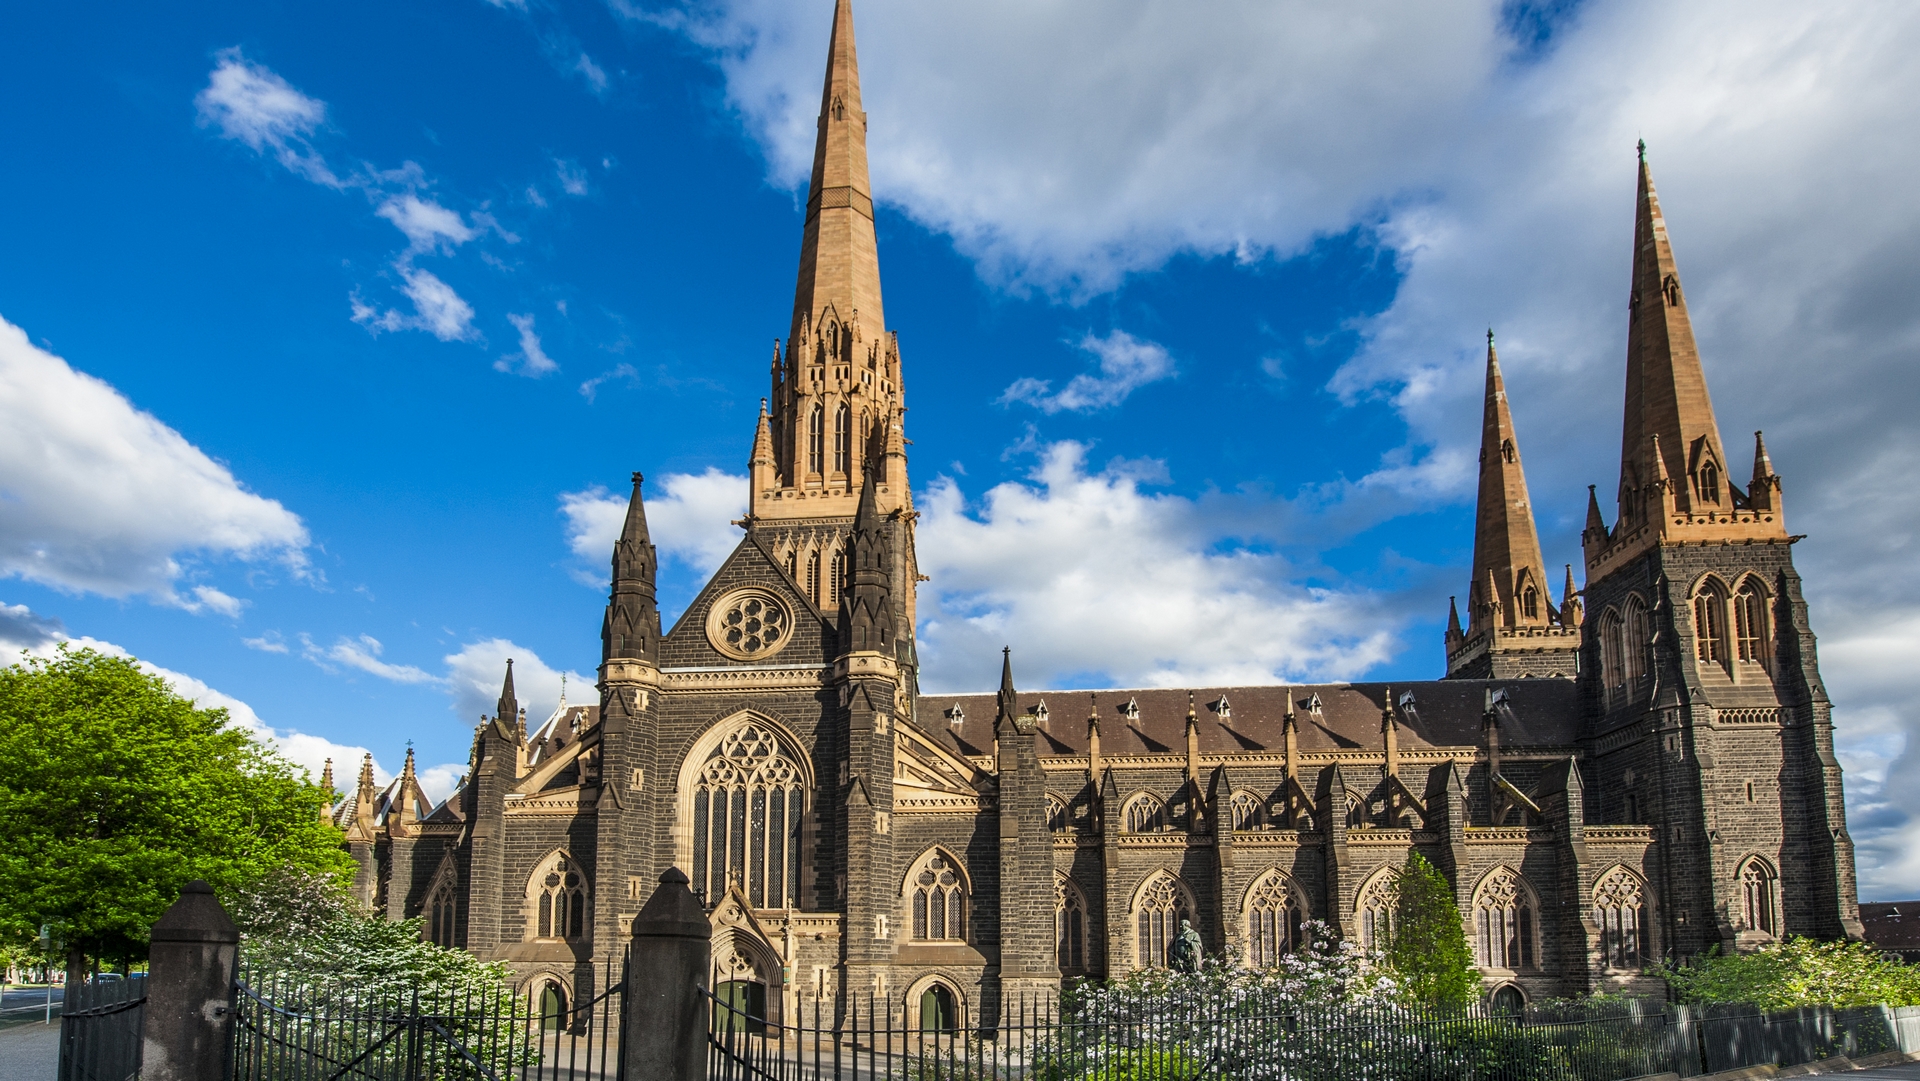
{"x": 665, "y": 986}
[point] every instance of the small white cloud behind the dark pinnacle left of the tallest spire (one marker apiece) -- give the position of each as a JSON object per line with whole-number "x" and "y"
{"x": 688, "y": 516}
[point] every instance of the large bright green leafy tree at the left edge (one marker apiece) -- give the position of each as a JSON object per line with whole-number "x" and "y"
{"x": 116, "y": 792}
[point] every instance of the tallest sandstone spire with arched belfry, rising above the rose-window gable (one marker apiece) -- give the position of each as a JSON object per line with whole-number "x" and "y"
{"x": 836, "y": 389}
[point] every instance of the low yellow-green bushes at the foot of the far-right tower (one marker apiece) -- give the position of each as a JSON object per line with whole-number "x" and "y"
{"x": 1798, "y": 973}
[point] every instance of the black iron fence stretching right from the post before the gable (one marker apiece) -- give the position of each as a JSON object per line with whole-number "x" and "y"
{"x": 1245, "y": 1038}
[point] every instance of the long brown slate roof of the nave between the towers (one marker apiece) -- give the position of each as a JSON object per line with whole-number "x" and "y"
{"x": 1445, "y": 713}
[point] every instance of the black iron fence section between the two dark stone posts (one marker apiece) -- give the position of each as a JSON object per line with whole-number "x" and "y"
{"x": 289, "y": 1030}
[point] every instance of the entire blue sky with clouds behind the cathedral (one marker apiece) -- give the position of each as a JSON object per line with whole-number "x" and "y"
{"x": 331, "y": 329}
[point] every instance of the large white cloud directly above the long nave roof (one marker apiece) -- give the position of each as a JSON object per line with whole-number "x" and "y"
{"x": 1092, "y": 579}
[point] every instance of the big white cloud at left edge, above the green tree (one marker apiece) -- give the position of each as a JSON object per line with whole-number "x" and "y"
{"x": 107, "y": 498}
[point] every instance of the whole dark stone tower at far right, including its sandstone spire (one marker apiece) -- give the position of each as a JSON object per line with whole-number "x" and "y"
{"x": 1704, "y": 704}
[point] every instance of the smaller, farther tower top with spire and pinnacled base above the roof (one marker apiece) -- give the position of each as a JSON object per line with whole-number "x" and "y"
{"x": 1514, "y": 627}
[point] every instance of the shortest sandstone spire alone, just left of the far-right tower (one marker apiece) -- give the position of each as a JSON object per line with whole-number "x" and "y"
{"x": 1506, "y": 548}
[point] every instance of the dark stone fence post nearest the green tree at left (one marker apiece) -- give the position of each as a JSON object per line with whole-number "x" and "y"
{"x": 189, "y": 990}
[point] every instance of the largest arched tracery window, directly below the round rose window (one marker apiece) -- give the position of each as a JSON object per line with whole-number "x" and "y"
{"x": 750, "y": 800}
